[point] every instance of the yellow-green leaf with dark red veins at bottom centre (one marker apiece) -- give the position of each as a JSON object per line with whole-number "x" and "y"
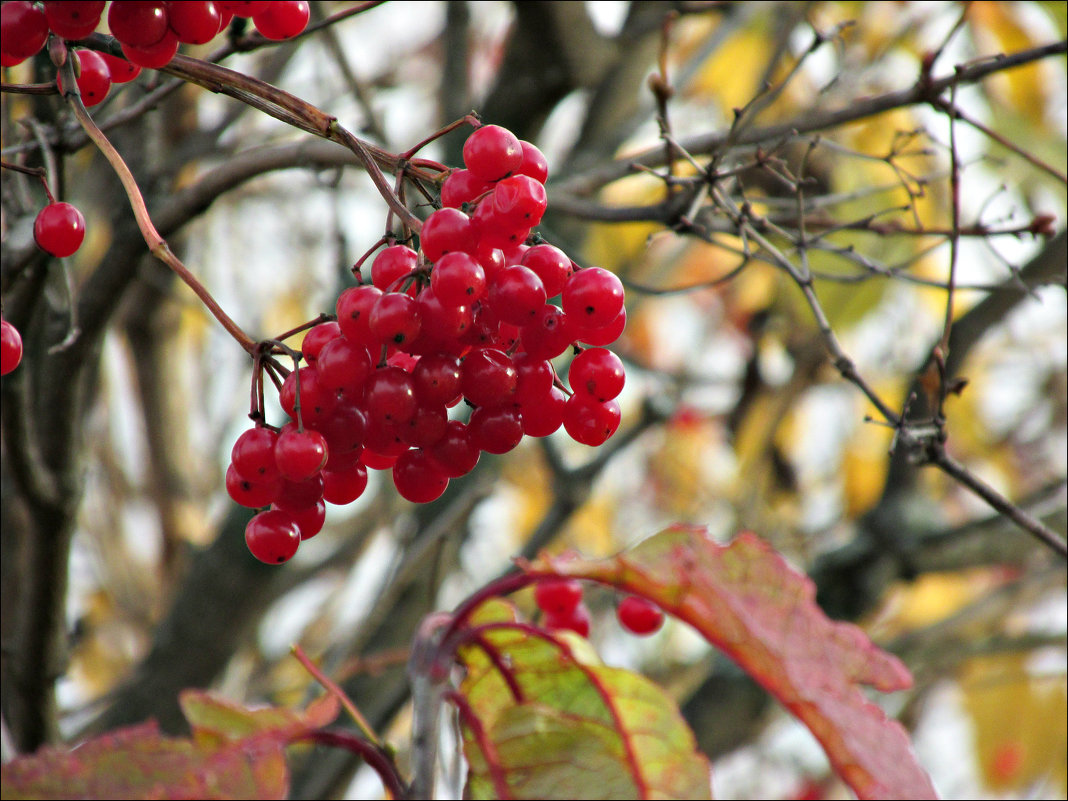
{"x": 544, "y": 719}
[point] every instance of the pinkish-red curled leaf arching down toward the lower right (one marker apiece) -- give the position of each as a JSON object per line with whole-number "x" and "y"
{"x": 746, "y": 600}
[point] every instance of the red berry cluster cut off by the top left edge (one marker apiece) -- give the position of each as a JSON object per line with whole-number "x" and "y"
{"x": 150, "y": 32}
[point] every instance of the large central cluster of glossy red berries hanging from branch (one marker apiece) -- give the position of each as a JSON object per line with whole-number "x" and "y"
{"x": 468, "y": 318}
